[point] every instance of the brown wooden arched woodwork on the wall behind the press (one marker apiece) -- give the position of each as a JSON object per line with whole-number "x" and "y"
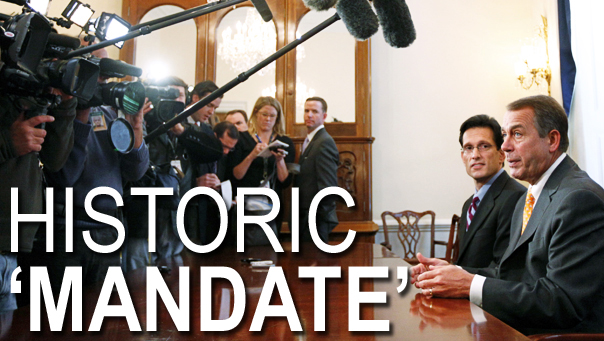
{"x": 354, "y": 140}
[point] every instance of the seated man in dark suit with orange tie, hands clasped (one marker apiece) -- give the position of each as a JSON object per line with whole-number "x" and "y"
{"x": 550, "y": 278}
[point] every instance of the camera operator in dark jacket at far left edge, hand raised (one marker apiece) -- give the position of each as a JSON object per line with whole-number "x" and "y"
{"x": 23, "y": 146}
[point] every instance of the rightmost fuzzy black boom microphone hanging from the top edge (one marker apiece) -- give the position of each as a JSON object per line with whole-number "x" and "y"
{"x": 395, "y": 19}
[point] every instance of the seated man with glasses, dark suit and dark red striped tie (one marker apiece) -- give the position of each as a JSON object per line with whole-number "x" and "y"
{"x": 484, "y": 227}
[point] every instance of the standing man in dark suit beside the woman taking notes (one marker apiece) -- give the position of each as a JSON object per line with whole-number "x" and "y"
{"x": 318, "y": 170}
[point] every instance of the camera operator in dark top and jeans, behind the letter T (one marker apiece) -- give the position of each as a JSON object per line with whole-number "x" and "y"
{"x": 162, "y": 155}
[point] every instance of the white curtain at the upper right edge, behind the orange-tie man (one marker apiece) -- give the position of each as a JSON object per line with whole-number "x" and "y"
{"x": 587, "y": 112}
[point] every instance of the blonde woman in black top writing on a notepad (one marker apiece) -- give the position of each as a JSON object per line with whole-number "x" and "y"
{"x": 266, "y": 125}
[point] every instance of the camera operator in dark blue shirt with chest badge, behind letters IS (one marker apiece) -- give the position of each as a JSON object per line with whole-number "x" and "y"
{"x": 92, "y": 163}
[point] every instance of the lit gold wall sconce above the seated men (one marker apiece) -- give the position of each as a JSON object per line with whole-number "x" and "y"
{"x": 534, "y": 65}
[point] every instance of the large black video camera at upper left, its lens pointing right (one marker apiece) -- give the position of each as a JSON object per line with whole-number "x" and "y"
{"x": 30, "y": 62}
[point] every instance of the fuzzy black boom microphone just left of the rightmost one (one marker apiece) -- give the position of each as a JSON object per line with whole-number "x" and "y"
{"x": 358, "y": 17}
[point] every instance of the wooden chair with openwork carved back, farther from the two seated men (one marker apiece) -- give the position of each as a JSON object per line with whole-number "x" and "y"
{"x": 408, "y": 232}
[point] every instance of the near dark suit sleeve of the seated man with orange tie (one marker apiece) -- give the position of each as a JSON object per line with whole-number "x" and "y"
{"x": 573, "y": 253}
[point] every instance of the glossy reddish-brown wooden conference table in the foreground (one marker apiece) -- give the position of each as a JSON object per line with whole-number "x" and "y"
{"x": 412, "y": 316}
